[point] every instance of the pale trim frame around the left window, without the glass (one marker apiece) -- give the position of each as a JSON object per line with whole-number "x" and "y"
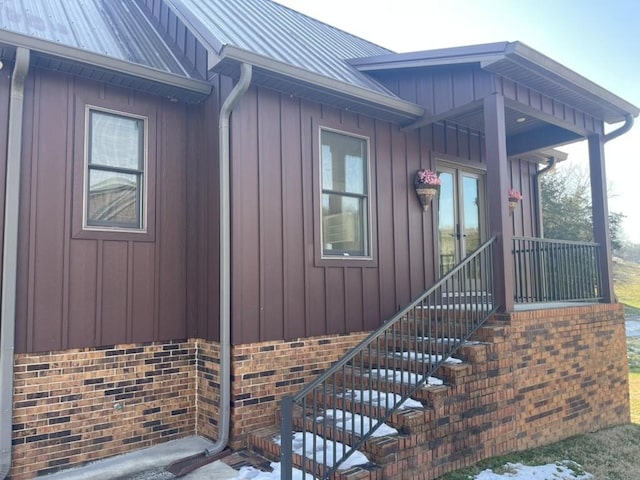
{"x": 144, "y": 197}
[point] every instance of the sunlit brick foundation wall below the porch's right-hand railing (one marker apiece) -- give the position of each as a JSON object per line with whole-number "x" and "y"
{"x": 570, "y": 372}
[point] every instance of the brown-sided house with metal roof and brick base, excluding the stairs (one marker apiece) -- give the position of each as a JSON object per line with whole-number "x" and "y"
{"x": 208, "y": 203}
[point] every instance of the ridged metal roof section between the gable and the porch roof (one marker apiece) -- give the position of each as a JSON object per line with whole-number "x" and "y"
{"x": 278, "y": 32}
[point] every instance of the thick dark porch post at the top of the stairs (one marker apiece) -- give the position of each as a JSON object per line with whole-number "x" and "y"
{"x": 497, "y": 187}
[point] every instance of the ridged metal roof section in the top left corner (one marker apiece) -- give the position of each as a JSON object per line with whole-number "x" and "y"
{"x": 115, "y": 28}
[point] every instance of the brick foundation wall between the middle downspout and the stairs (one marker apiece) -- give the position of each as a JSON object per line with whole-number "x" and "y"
{"x": 265, "y": 372}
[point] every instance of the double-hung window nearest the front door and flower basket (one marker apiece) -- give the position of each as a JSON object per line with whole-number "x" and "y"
{"x": 345, "y": 195}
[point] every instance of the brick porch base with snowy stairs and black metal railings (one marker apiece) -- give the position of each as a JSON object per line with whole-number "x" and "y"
{"x": 485, "y": 380}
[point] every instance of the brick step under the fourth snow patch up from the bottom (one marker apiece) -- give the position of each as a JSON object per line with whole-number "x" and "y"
{"x": 351, "y": 378}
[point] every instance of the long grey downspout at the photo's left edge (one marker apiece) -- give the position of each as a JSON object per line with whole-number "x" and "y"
{"x": 10, "y": 255}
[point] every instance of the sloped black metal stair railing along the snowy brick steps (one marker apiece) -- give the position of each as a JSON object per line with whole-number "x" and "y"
{"x": 384, "y": 370}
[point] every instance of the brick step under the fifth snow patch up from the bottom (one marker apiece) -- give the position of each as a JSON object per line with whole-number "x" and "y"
{"x": 419, "y": 363}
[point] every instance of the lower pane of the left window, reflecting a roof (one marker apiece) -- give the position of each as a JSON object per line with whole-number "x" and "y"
{"x": 113, "y": 199}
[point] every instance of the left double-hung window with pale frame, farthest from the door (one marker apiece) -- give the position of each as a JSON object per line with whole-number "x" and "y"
{"x": 115, "y": 171}
